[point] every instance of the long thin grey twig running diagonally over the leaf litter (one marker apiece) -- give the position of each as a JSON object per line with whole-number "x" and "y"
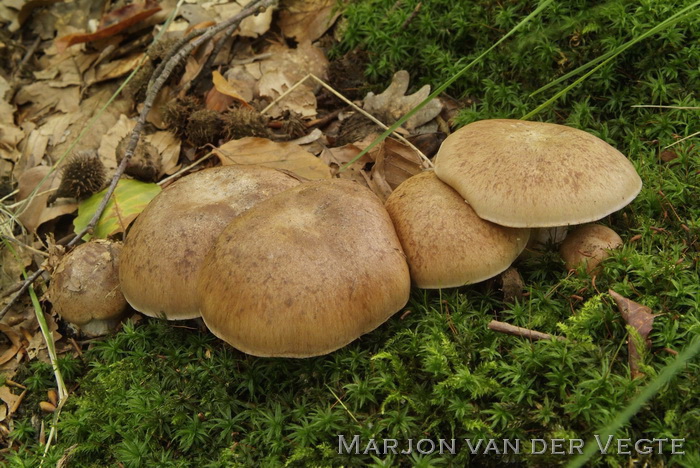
{"x": 257, "y": 6}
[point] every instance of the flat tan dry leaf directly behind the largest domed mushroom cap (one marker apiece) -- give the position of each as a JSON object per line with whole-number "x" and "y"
{"x": 286, "y": 156}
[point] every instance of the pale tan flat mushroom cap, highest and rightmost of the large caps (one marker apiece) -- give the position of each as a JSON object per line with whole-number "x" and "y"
{"x": 532, "y": 174}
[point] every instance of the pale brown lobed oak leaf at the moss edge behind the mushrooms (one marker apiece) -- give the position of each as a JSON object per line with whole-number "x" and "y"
{"x": 392, "y": 104}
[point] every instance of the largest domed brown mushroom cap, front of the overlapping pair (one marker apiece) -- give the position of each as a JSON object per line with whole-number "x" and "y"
{"x": 305, "y": 272}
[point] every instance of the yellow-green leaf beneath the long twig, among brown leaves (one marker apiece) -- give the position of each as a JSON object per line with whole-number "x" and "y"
{"x": 129, "y": 199}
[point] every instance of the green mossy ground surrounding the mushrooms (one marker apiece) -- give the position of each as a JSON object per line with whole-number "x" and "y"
{"x": 156, "y": 395}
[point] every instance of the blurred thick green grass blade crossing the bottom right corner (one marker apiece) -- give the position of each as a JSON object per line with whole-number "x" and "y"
{"x": 591, "y": 448}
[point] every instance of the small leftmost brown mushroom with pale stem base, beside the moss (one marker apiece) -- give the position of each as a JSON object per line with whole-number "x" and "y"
{"x": 85, "y": 289}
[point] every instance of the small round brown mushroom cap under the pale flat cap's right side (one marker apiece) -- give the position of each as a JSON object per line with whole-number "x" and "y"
{"x": 589, "y": 245}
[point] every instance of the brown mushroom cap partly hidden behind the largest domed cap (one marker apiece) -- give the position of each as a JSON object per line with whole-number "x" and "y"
{"x": 168, "y": 241}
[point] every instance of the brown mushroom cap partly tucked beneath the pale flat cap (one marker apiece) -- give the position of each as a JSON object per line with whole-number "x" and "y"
{"x": 445, "y": 242}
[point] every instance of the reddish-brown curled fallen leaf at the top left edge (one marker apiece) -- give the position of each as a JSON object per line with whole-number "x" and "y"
{"x": 112, "y": 23}
